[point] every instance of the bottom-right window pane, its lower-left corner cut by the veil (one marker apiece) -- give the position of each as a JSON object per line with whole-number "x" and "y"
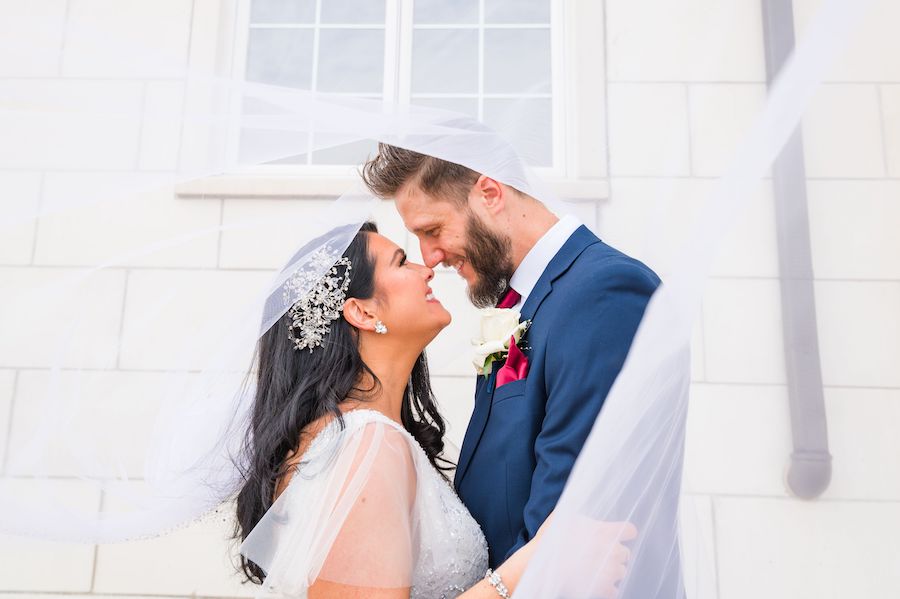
{"x": 534, "y": 142}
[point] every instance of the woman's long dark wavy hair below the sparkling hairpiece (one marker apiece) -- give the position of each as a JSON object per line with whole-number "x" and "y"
{"x": 297, "y": 387}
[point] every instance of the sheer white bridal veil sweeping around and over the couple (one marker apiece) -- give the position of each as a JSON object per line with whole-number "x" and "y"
{"x": 630, "y": 468}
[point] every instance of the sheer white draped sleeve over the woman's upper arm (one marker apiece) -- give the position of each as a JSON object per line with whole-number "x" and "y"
{"x": 347, "y": 517}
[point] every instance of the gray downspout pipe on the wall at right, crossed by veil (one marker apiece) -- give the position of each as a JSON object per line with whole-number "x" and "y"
{"x": 809, "y": 472}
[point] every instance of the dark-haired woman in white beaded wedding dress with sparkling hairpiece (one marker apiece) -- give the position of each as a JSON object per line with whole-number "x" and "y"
{"x": 345, "y": 492}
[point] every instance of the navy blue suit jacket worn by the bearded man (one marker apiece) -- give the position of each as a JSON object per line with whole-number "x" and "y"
{"x": 523, "y": 438}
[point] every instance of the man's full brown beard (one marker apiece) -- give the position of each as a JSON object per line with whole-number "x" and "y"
{"x": 488, "y": 254}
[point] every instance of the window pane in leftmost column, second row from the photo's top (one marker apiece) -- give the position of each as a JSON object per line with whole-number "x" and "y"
{"x": 280, "y": 57}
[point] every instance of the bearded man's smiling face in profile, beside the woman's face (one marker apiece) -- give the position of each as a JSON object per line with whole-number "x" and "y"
{"x": 452, "y": 233}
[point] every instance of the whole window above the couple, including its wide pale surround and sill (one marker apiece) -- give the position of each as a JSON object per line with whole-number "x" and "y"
{"x": 508, "y": 52}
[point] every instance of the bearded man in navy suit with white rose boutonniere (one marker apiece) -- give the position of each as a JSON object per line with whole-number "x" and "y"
{"x": 584, "y": 300}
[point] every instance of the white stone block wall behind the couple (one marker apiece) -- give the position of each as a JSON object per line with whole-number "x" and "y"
{"x": 674, "y": 114}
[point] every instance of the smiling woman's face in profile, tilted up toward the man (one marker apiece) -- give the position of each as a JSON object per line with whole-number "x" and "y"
{"x": 407, "y": 304}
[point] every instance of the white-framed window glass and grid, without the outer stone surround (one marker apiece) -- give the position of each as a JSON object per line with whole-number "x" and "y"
{"x": 490, "y": 59}
